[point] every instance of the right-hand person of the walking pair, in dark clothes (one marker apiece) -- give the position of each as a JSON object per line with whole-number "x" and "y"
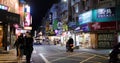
{"x": 29, "y": 46}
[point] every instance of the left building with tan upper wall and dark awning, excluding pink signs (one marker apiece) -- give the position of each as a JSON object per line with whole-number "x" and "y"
{"x": 10, "y": 17}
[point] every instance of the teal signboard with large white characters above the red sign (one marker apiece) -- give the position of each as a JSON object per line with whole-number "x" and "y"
{"x": 104, "y": 15}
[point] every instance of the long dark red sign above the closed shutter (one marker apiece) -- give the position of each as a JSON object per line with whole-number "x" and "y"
{"x": 103, "y": 26}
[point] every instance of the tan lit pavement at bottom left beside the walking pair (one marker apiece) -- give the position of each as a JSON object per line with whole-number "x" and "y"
{"x": 9, "y": 56}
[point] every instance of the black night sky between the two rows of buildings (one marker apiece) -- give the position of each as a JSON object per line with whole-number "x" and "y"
{"x": 38, "y": 11}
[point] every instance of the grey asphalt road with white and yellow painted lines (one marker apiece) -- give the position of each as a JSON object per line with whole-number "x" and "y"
{"x": 57, "y": 54}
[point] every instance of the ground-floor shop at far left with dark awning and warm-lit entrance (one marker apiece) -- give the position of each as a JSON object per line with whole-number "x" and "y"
{"x": 7, "y": 29}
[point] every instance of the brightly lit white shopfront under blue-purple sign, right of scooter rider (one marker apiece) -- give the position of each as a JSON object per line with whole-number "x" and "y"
{"x": 84, "y": 36}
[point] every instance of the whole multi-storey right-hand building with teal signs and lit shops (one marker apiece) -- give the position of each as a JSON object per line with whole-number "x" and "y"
{"x": 87, "y": 22}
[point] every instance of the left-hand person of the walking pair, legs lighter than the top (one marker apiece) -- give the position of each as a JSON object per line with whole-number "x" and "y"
{"x": 19, "y": 45}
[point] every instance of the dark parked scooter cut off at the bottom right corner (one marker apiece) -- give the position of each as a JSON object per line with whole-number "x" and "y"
{"x": 114, "y": 54}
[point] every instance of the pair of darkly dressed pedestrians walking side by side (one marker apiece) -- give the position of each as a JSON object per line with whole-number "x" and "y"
{"x": 24, "y": 46}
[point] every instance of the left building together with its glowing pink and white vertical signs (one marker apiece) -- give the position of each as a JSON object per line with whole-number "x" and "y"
{"x": 14, "y": 14}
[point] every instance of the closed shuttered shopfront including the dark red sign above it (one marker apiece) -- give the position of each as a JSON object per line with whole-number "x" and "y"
{"x": 105, "y": 33}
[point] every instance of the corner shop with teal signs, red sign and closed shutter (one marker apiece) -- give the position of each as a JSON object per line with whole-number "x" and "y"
{"x": 100, "y": 26}
